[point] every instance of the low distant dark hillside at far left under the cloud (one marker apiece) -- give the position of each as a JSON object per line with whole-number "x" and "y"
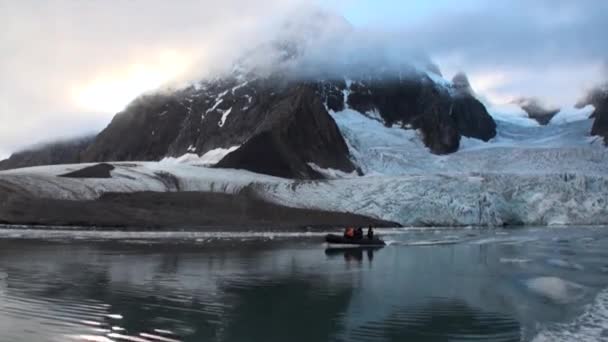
{"x": 64, "y": 152}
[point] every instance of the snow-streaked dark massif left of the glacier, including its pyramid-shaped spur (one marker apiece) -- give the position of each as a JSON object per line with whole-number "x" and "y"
{"x": 281, "y": 127}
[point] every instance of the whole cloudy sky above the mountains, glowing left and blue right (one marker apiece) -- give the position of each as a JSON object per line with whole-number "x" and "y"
{"x": 67, "y": 66}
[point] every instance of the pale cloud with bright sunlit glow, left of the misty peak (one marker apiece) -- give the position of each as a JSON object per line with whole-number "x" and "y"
{"x": 68, "y": 66}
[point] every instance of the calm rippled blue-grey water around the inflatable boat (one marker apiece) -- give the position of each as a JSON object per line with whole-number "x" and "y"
{"x": 433, "y": 285}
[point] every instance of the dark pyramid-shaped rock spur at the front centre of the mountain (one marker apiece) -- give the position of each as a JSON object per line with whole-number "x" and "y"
{"x": 299, "y": 130}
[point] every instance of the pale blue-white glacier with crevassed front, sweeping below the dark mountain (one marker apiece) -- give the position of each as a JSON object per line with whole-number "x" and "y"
{"x": 528, "y": 174}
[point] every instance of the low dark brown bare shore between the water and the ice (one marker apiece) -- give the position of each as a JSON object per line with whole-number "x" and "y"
{"x": 181, "y": 211}
